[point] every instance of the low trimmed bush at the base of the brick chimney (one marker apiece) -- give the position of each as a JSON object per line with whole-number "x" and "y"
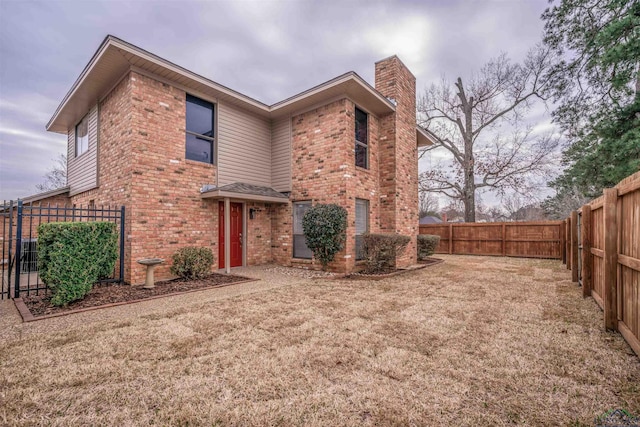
{"x": 381, "y": 250}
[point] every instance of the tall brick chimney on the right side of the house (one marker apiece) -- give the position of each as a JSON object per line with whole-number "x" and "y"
{"x": 398, "y": 154}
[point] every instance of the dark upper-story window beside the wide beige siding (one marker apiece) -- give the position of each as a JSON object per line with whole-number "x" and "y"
{"x": 199, "y": 130}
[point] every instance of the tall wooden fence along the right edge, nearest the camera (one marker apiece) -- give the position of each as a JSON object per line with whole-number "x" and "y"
{"x": 603, "y": 254}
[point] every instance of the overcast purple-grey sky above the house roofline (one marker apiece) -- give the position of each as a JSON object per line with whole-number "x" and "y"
{"x": 268, "y": 50}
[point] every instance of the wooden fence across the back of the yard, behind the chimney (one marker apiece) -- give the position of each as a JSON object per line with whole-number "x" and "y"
{"x": 543, "y": 239}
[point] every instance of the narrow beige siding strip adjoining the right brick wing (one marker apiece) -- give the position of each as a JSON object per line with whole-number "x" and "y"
{"x": 281, "y": 155}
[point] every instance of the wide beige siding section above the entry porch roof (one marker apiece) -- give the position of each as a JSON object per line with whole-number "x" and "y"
{"x": 244, "y": 147}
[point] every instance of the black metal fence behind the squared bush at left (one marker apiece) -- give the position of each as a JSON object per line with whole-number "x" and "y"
{"x": 19, "y": 261}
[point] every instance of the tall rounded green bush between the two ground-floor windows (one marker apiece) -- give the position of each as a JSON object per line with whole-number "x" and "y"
{"x": 324, "y": 229}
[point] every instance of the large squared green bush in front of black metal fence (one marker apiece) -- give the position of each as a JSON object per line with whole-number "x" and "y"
{"x": 72, "y": 256}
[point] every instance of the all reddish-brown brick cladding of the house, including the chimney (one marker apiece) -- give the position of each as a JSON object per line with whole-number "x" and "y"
{"x": 142, "y": 166}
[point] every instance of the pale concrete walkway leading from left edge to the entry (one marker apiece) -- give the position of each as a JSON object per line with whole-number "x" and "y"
{"x": 268, "y": 277}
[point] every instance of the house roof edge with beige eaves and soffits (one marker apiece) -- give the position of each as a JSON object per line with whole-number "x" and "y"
{"x": 115, "y": 57}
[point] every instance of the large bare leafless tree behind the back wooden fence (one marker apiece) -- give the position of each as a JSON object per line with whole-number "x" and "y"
{"x": 462, "y": 117}
